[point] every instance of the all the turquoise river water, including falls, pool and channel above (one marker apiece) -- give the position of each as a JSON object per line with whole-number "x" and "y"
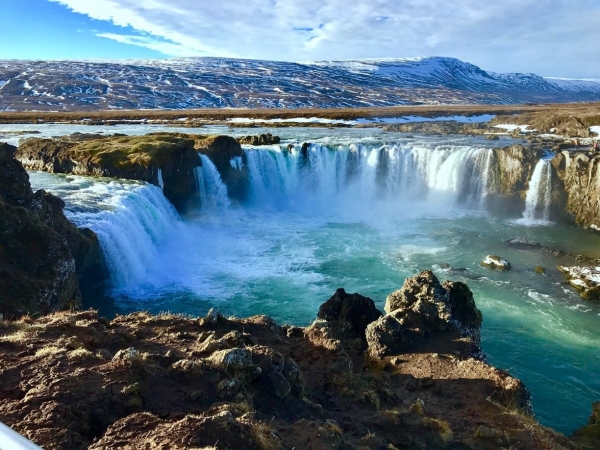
{"x": 353, "y": 218}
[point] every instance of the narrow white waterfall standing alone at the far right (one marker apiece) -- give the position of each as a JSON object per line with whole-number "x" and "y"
{"x": 537, "y": 201}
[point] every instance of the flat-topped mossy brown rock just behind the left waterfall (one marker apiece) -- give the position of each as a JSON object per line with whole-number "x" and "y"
{"x": 165, "y": 160}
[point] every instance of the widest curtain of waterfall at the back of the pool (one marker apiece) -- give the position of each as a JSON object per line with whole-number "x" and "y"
{"x": 361, "y": 174}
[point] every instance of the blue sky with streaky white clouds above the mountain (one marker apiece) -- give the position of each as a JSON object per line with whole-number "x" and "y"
{"x": 547, "y": 37}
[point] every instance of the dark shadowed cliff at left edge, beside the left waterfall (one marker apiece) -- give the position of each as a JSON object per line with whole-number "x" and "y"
{"x": 42, "y": 255}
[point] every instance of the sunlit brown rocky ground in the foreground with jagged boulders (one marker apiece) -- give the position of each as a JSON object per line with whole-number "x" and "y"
{"x": 75, "y": 380}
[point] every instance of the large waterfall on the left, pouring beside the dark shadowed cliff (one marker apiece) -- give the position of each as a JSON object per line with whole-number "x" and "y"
{"x": 131, "y": 219}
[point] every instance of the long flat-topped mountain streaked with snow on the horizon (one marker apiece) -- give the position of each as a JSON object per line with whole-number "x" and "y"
{"x": 218, "y": 82}
